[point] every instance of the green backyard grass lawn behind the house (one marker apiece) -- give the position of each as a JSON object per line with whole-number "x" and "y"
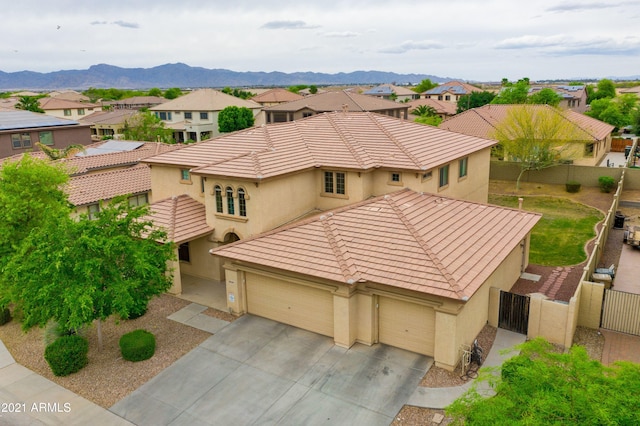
{"x": 560, "y": 236}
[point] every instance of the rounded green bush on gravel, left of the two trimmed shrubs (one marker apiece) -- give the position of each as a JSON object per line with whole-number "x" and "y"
{"x": 67, "y": 355}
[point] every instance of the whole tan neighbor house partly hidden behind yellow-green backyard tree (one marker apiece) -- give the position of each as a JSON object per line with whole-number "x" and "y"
{"x": 588, "y": 151}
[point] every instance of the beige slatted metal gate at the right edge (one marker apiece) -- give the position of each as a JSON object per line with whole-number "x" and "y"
{"x": 621, "y": 312}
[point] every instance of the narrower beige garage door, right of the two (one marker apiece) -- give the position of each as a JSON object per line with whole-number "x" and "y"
{"x": 406, "y": 325}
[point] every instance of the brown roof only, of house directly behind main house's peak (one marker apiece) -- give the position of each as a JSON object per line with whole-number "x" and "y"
{"x": 334, "y": 101}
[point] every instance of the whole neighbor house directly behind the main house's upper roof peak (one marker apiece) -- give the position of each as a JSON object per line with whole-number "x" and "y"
{"x": 330, "y": 102}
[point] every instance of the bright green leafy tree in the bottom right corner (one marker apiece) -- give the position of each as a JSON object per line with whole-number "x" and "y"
{"x": 542, "y": 387}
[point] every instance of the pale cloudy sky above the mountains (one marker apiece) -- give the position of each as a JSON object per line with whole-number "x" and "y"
{"x": 470, "y": 40}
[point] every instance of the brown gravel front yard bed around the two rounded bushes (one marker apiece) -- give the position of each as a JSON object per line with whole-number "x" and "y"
{"x": 108, "y": 378}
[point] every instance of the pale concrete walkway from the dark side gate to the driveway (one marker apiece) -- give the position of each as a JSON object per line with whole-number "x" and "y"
{"x": 440, "y": 398}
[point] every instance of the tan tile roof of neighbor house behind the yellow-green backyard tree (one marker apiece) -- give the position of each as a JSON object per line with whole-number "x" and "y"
{"x": 482, "y": 121}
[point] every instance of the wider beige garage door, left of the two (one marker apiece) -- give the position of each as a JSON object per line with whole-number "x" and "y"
{"x": 305, "y": 307}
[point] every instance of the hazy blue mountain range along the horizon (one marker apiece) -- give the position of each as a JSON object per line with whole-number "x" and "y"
{"x": 185, "y": 76}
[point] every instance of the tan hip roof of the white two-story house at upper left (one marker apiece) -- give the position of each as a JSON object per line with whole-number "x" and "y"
{"x": 204, "y": 100}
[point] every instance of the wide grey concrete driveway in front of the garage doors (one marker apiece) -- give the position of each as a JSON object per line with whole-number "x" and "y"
{"x": 257, "y": 371}
